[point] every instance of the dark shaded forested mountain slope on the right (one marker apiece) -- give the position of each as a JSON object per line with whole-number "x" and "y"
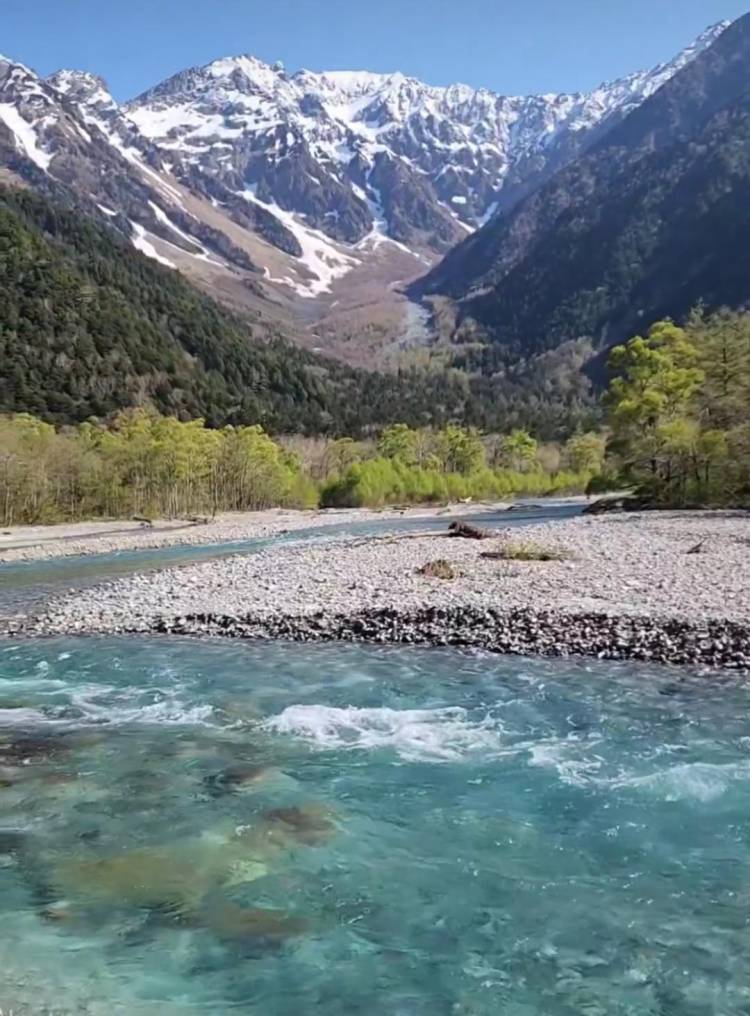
{"x": 649, "y": 223}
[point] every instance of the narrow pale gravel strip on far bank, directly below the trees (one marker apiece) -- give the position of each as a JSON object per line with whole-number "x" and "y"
{"x": 40, "y": 543}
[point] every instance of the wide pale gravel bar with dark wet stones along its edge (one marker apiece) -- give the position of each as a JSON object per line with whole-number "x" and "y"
{"x": 673, "y": 588}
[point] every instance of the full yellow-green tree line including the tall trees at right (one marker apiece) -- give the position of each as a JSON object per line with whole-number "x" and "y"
{"x": 678, "y": 430}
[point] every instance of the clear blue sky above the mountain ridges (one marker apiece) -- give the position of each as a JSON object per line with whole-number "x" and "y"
{"x": 512, "y": 46}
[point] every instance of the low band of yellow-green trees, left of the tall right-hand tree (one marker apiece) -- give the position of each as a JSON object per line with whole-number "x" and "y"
{"x": 142, "y": 464}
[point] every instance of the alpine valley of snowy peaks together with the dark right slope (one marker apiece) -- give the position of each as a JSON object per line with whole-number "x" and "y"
{"x": 391, "y": 224}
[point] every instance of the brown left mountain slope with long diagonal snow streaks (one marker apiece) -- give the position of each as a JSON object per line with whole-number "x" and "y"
{"x": 69, "y": 140}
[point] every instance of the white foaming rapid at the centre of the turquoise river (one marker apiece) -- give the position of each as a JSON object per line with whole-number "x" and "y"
{"x": 416, "y": 735}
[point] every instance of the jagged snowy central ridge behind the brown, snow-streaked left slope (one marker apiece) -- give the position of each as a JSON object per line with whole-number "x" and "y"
{"x": 353, "y": 150}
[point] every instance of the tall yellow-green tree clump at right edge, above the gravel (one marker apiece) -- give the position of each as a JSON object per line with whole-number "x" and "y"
{"x": 678, "y": 410}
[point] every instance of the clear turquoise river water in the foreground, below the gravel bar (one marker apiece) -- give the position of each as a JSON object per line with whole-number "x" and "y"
{"x": 279, "y": 830}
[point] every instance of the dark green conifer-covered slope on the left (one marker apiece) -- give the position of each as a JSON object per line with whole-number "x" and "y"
{"x": 89, "y": 327}
